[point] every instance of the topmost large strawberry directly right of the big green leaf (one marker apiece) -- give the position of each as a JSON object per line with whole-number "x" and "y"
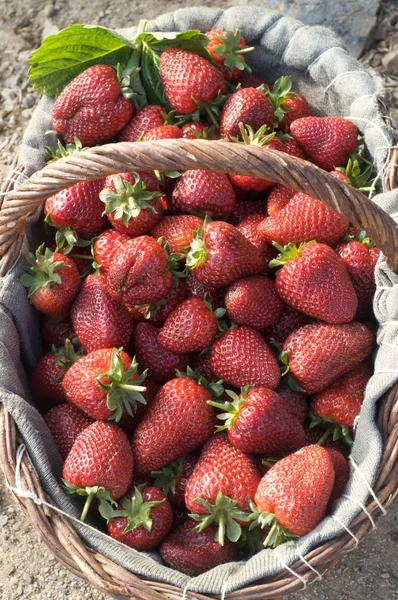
{"x": 189, "y": 79}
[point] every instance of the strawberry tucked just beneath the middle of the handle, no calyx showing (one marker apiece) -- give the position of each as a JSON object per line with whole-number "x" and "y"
{"x": 205, "y": 192}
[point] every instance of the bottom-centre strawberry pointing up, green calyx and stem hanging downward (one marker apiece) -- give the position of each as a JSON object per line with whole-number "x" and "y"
{"x": 225, "y": 496}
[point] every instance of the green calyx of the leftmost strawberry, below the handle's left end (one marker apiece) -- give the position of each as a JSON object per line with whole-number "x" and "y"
{"x": 42, "y": 271}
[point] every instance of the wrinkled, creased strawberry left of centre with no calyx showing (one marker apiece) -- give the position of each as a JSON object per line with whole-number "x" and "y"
{"x": 138, "y": 273}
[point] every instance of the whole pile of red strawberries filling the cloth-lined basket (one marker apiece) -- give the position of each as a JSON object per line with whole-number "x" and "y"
{"x": 207, "y": 334}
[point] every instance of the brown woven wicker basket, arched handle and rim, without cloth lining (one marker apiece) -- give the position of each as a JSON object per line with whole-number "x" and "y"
{"x": 56, "y": 530}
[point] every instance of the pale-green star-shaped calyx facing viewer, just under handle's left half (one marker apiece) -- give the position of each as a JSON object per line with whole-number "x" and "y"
{"x": 128, "y": 200}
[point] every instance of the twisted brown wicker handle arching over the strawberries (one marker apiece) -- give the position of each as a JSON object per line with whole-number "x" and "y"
{"x": 183, "y": 154}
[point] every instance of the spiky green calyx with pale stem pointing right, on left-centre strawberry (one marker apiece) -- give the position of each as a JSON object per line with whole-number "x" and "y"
{"x": 122, "y": 393}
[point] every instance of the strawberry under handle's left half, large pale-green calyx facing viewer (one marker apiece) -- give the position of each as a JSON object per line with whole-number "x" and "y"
{"x": 133, "y": 202}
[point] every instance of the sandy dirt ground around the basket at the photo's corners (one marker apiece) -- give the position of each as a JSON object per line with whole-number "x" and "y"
{"x": 26, "y": 569}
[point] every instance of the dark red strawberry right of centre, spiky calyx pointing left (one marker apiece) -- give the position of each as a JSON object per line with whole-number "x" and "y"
{"x": 259, "y": 422}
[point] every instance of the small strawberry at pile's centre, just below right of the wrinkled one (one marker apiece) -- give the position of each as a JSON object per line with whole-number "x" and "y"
{"x": 191, "y": 327}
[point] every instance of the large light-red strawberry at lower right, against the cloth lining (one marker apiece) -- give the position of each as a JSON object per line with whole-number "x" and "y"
{"x": 293, "y": 495}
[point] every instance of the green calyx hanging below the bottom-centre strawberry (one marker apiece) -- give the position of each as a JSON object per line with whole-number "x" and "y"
{"x": 223, "y": 515}
